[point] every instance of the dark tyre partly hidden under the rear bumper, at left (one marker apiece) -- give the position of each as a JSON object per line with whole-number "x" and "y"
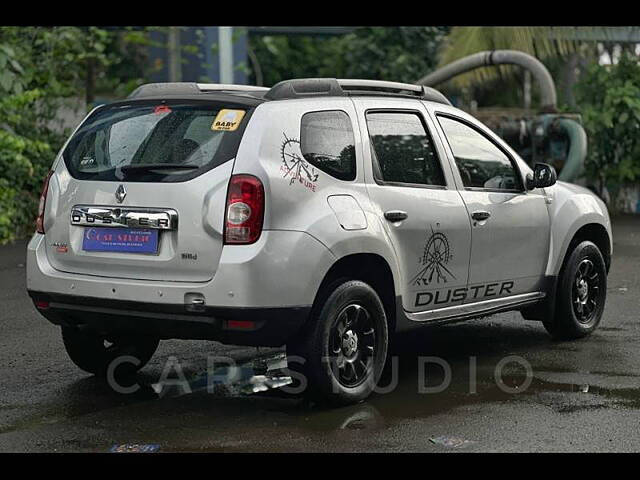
{"x": 93, "y": 352}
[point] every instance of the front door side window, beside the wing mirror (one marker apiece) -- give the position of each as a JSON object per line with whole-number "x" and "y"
{"x": 480, "y": 162}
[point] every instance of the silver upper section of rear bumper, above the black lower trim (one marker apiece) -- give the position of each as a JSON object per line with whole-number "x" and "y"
{"x": 282, "y": 269}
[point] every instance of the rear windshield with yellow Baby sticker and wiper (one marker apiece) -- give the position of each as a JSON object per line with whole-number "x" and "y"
{"x": 155, "y": 142}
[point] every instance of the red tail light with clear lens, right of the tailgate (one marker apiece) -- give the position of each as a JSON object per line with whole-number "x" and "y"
{"x": 244, "y": 210}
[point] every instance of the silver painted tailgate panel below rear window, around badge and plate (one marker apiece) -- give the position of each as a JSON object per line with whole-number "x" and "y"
{"x": 189, "y": 252}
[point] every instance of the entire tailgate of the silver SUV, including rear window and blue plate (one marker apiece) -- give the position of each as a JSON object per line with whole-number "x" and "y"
{"x": 141, "y": 195}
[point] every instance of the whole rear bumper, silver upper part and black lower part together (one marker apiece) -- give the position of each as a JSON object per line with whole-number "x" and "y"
{"x": 271, "y": 283}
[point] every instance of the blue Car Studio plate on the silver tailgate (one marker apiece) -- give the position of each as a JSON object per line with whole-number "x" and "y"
{"x": 124, "y": 240}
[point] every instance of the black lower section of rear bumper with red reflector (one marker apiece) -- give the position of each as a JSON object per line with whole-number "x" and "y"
{"x": 267, "y": 326}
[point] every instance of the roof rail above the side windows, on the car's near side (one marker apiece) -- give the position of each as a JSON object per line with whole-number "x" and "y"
{"x": 314, "y": 87}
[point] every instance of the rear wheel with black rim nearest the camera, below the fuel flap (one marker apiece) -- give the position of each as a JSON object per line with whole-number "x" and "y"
{"x": 343, "y": 350}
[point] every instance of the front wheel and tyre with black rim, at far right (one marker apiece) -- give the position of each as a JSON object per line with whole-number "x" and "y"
{"x": 580, "y": 295}
